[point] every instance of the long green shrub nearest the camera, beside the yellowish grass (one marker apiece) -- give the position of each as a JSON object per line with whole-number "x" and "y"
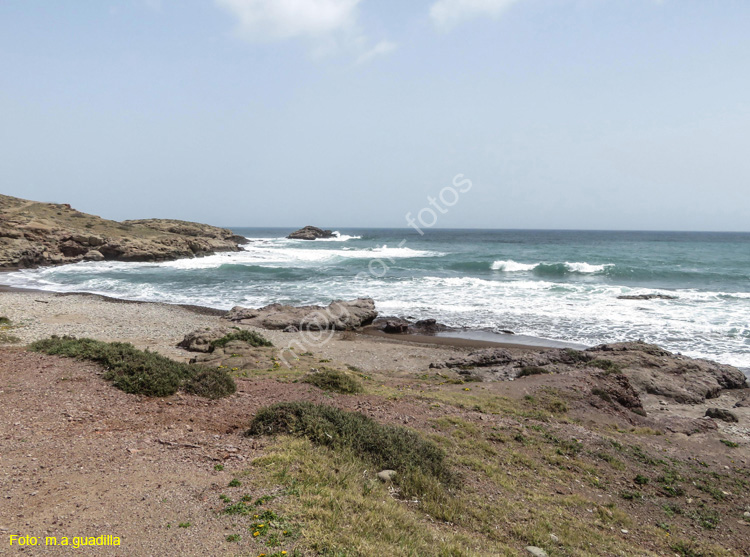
{"x": 386, "y": 447}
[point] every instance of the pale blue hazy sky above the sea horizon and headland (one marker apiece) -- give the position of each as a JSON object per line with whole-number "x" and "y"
{"x": 604, "y": 114}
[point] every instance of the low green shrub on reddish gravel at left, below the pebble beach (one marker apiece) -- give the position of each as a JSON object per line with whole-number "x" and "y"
{"x": 137, "y": 372}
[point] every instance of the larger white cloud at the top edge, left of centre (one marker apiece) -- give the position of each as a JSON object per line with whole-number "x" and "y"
{"x": 285, "y": 19}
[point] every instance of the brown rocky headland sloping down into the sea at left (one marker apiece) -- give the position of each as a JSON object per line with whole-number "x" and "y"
{"x": 36, "y": 234}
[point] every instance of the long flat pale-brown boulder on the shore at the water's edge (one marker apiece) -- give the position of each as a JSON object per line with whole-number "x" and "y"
{"x": 338, "y": 315}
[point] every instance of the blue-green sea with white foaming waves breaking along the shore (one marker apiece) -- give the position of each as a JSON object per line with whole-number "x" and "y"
{"x": 550, "y": 285}
